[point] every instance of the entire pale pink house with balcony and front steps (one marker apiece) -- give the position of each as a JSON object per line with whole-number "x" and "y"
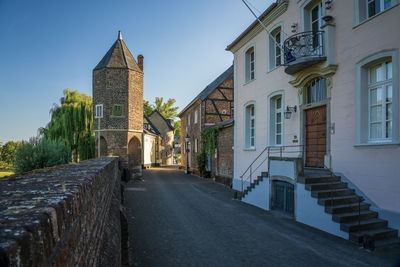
{"x": 333, "y": 68}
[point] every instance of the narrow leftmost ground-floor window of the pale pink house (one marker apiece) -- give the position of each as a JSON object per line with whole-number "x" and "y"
{"x": 249, "y": 125}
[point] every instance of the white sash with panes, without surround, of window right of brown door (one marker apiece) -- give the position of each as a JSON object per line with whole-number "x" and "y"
{"x": 380, "y": 95}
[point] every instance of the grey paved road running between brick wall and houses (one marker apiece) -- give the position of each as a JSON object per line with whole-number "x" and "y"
{"x": 182, "y": 220}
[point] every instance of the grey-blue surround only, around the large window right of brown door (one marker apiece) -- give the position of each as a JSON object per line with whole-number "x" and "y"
{"x": 362, "y": 133}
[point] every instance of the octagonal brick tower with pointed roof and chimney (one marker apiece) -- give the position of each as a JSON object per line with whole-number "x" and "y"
{"x": 118, "y": 88}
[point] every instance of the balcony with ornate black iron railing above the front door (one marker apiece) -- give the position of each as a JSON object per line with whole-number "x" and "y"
{"x": 303, "y": 50}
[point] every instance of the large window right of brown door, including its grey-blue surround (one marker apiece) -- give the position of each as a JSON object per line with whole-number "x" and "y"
{"x": 377, "y": 99}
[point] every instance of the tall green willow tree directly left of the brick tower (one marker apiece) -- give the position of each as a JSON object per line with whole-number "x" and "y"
{"x": 72, "y": 122}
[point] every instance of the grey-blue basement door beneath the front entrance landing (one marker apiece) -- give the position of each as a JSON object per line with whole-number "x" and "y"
{"x": 283, "y": 197}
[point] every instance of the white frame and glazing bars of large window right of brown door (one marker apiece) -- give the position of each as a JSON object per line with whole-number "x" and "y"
{"x": 382, "y": 85}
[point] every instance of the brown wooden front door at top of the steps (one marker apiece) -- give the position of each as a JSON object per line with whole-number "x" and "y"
{"x": 315, "y": 136}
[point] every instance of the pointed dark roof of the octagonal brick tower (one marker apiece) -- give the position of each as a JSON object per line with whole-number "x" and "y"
{"x": 118, "y": 56}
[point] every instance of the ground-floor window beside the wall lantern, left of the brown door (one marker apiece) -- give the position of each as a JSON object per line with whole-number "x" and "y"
{"x": 276, "y": 119}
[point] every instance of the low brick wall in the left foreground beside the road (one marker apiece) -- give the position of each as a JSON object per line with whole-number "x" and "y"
{"x": 62, "y": 216}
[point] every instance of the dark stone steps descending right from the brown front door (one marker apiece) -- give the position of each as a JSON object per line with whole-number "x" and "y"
{"x": 350, "y": 211}
